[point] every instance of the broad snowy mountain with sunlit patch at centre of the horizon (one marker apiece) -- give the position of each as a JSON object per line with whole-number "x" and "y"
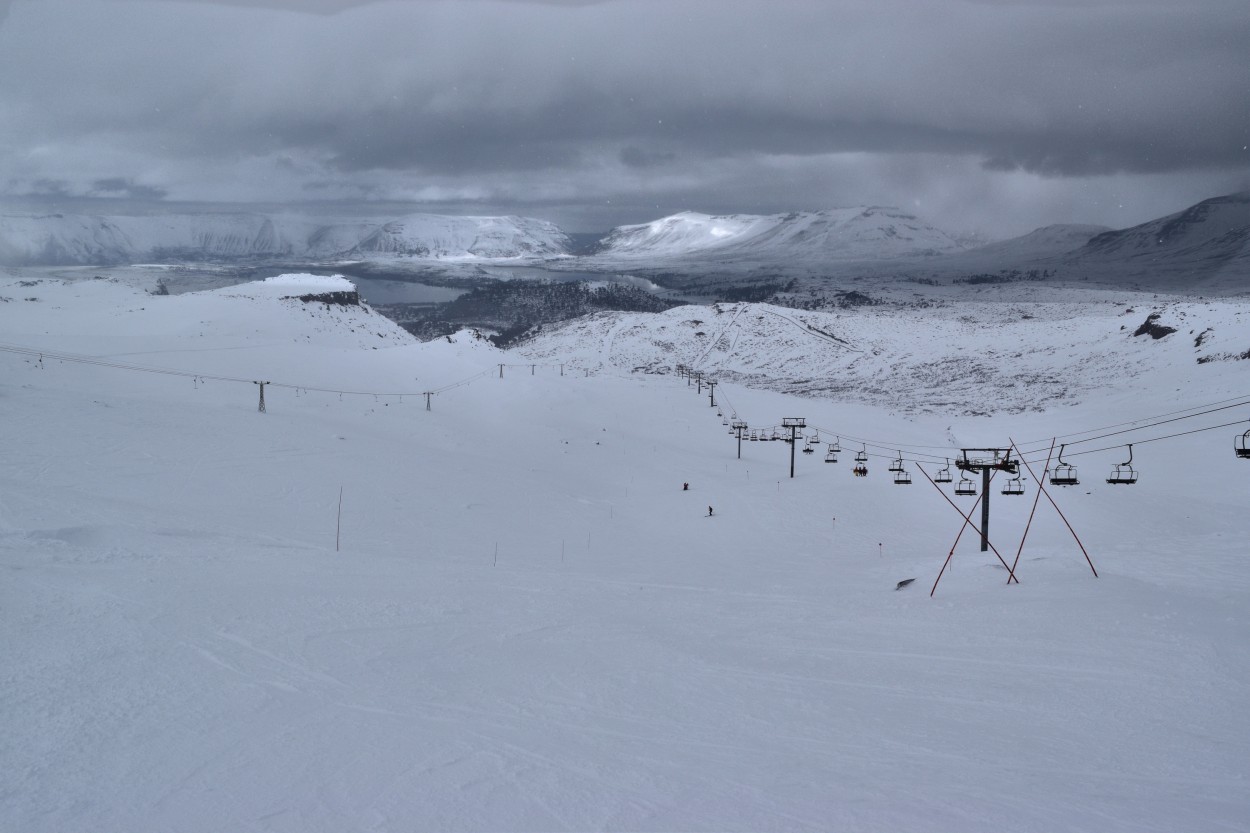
{"x": 868, "y": 233}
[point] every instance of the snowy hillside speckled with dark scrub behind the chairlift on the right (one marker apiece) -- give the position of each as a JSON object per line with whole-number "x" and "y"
{"x": 953, "y": 357}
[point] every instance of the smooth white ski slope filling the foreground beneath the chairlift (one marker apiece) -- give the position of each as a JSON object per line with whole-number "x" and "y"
{"x": 504, "y": 613}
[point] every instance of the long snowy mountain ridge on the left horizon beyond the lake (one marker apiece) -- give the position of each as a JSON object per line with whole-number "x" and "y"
{"x": 81, "y": 240}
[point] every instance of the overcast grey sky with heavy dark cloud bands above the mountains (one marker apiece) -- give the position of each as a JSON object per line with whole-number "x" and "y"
{"x": 991, "y": 116}
